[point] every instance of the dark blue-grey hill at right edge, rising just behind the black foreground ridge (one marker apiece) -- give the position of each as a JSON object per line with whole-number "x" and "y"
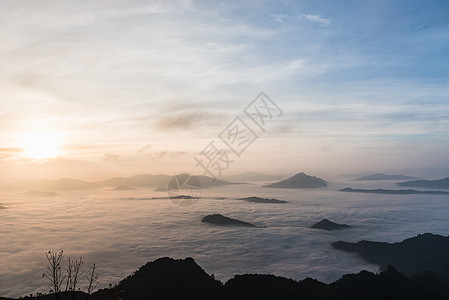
{"x": 425, "y": 252}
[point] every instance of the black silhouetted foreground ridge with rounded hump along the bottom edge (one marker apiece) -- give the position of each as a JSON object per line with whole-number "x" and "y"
{"x": 168, "y": 278}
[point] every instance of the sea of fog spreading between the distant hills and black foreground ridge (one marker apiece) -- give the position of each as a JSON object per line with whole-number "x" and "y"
{"x": 121, "y": 231}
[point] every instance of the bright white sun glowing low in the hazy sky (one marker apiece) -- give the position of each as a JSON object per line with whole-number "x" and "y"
{"x": 41, "y": 145}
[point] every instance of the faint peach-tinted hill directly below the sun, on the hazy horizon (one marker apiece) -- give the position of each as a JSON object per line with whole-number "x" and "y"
{"x": 62, "y": 184}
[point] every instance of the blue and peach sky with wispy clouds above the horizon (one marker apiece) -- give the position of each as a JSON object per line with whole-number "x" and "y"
{"x": 91, "y": 89}
